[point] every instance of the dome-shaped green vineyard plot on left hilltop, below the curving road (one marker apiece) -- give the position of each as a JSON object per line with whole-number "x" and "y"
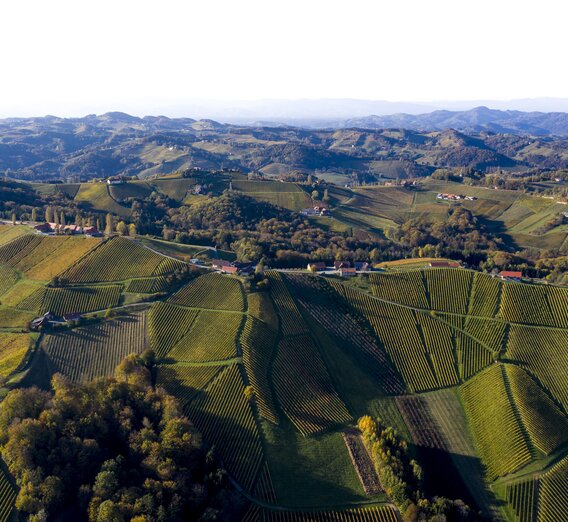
{"x": 118, "y": 259}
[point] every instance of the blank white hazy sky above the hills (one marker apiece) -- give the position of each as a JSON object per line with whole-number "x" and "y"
{"x": 81, "y": 56}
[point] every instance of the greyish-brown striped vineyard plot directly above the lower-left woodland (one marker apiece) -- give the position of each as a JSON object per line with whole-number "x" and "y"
{"x": 92, "y": 351}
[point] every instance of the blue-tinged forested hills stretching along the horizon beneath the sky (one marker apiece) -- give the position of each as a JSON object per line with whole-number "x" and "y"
{"x": 361, "y": 149}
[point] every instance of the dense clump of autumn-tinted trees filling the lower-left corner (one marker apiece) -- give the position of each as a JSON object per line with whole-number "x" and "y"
{"x": 111, "y": 450}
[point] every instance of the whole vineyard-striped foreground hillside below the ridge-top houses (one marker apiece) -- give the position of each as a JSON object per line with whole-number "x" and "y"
{"x": 471, "y": 370}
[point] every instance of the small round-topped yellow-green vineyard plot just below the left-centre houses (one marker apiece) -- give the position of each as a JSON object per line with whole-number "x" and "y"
{"x": 212, "y": 291}
